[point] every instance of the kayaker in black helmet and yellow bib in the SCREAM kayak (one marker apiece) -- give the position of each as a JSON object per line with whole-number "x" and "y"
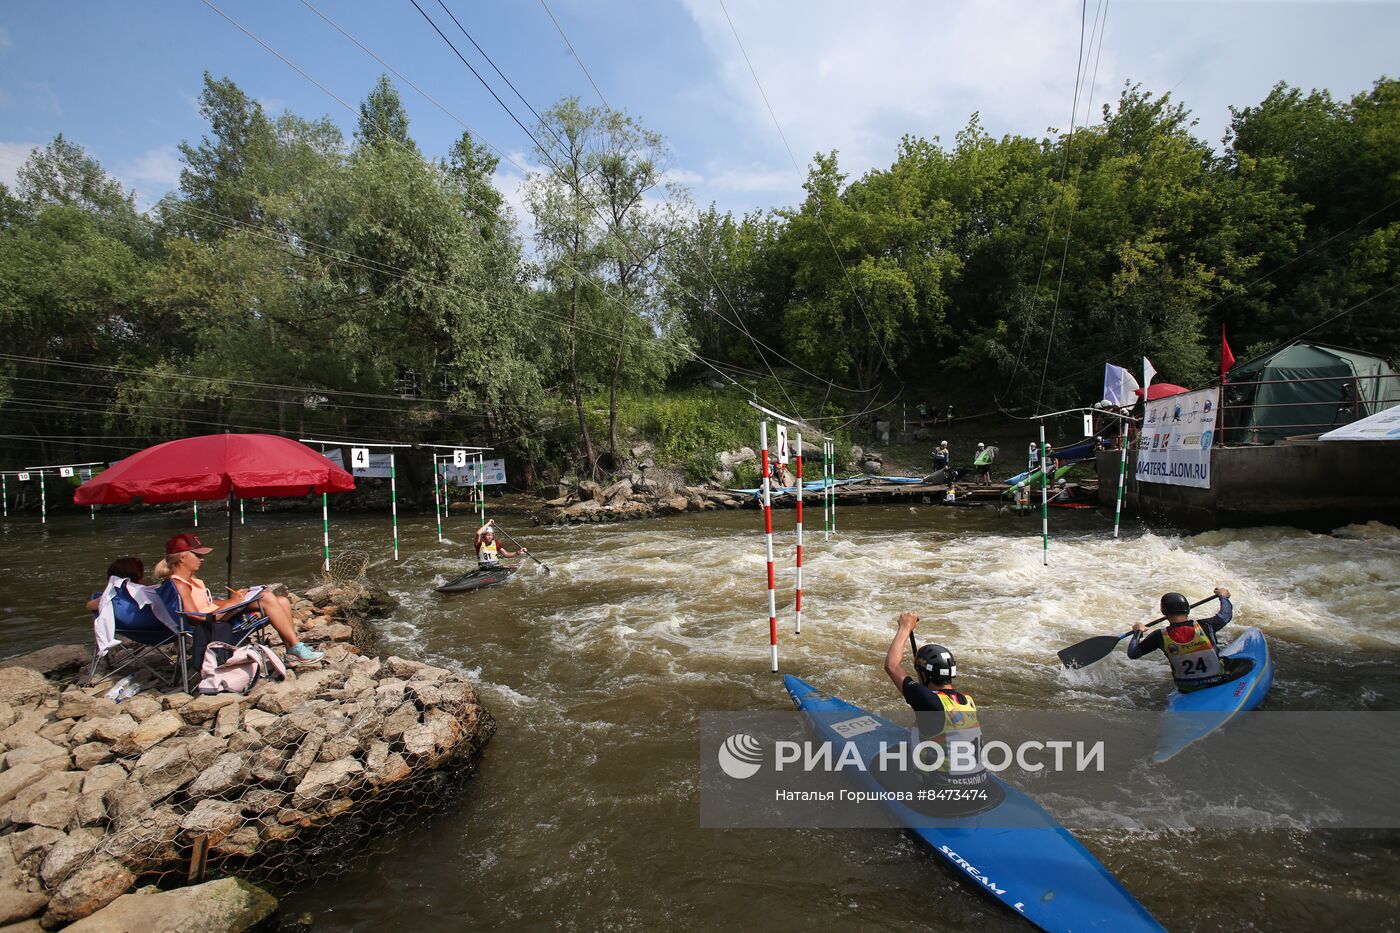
{"x": 946, "y": 717}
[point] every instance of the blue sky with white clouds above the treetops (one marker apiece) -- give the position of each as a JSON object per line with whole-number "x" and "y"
{"x": 124, "y": 79}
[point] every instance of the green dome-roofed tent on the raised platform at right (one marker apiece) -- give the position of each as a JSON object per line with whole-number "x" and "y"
{"x": 1304, "y": 389}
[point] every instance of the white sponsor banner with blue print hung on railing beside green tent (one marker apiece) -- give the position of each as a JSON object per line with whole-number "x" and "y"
{"x": 1178, "y": 436}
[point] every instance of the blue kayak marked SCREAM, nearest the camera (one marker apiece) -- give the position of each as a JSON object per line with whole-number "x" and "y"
{"x": 1014, "y": 851}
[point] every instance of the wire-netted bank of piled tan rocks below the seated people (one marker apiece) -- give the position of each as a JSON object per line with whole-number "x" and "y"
{"x": 97, "y": 798}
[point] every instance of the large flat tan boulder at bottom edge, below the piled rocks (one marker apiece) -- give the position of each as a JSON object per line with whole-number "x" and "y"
{"x": 229, "y": 906}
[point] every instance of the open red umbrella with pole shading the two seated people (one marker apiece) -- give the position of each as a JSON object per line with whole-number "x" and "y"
{"x": 216, "y": 467}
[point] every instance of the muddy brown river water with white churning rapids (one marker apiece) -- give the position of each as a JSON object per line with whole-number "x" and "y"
{"x": 584, "y": 815}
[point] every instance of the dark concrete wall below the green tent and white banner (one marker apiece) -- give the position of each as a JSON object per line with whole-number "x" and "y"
{"x": 1314, "y": 484}
